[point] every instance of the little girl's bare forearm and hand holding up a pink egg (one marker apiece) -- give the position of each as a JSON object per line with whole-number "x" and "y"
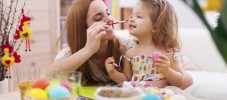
{"x": 174, "y": 74}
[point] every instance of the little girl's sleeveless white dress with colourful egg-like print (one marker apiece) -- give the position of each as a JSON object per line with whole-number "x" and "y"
{"x": 144, "y": 70}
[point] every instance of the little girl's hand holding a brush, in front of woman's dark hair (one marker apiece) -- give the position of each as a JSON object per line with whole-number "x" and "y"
{"x": 109, "y": 65}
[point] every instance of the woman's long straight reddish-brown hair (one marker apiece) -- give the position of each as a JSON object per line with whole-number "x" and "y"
{"x": 76, "y": 28}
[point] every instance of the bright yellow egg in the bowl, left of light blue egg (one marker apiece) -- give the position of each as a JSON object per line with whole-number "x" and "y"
{"x": 37, "y": 93}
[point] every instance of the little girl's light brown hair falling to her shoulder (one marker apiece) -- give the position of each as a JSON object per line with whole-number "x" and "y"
{"x": 164, "y": 22}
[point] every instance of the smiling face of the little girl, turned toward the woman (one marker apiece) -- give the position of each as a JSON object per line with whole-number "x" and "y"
{"x": 140, "y": 23}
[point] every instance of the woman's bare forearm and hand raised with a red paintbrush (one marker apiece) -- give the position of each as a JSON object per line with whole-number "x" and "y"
{"x": 73, "y": 62}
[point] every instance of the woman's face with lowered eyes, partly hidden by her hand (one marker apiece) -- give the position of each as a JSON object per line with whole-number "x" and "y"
{"x": 98, "y": 12}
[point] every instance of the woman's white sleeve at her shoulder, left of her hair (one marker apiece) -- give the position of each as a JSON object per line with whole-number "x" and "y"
{"x": 65, "y": 52}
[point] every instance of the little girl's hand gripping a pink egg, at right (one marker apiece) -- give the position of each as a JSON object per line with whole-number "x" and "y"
{"x": 162, "y": 63}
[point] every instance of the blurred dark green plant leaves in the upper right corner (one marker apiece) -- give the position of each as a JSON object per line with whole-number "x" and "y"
{"x": 219, "y": 35}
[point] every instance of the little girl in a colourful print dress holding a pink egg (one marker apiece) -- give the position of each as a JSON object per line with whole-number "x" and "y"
{"x": 154, "y": 23}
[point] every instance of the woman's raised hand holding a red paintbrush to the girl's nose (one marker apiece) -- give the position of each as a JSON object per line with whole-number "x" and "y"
{"x": 94, "y": 34}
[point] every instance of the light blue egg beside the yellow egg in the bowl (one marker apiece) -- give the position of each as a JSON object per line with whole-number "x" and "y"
{"x": 58, "y": 91}
